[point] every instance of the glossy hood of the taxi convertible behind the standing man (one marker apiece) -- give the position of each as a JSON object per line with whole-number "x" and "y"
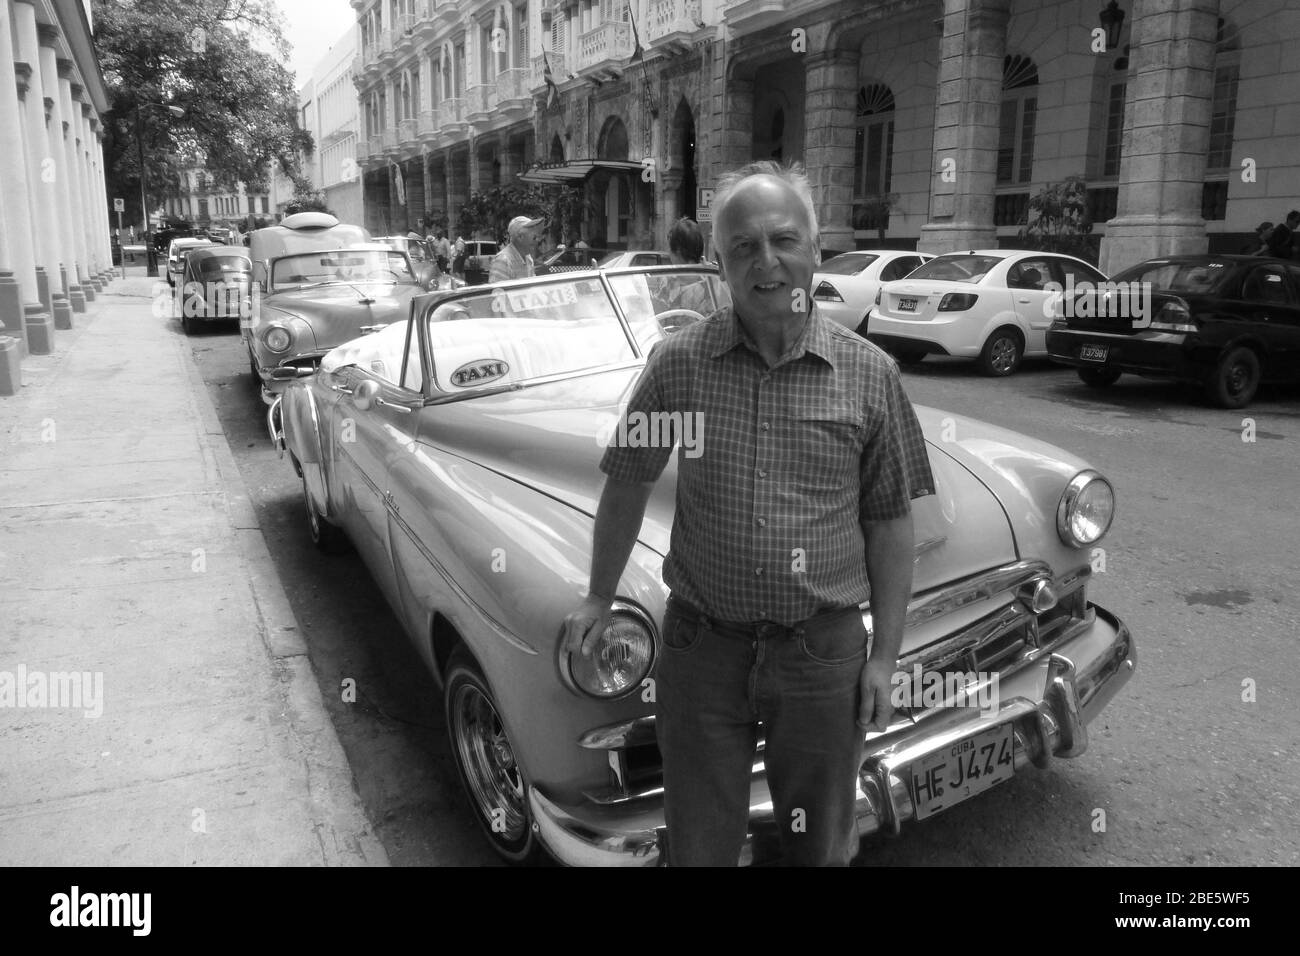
{"x": 548, "y": 439}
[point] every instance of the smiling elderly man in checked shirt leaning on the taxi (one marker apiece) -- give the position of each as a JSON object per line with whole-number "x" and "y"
{"x": 798, "y": 512}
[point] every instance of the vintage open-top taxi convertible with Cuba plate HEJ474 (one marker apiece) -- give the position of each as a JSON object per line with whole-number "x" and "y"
{"x": 458, "y": 452}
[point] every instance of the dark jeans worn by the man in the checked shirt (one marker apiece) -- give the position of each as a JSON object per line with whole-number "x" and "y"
{"x": 716, "y": 684}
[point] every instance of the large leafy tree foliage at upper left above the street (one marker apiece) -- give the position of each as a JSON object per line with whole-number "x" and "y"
{"x": 223, "y": 63}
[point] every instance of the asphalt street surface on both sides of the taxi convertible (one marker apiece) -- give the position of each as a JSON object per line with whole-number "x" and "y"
{"x": 1201, "y": 565}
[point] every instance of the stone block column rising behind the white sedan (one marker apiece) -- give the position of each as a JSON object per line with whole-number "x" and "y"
{"x": 968, "y": 109}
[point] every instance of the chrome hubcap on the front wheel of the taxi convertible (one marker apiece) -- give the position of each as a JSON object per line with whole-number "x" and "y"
{"x": 489, "y": 763}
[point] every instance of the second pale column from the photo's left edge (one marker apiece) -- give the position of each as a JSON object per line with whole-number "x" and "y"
{"x": 42, "y": 175}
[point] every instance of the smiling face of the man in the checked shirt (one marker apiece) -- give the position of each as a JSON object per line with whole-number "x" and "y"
{"x": 768, "y": 252}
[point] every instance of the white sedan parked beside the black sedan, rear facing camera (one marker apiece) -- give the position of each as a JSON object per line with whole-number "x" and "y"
{"x": 994, "y": 306}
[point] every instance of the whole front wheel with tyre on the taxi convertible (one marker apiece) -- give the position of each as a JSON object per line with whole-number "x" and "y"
{"x": 493, "y": 781}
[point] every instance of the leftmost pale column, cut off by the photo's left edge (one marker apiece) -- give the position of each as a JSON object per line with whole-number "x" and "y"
{"x": 18, "y": 239}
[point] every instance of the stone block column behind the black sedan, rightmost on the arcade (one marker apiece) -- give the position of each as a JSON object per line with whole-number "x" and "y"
{"x": 1167, "y": 135}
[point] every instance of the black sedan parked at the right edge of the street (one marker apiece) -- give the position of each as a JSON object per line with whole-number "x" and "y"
{"x": 1225, "y": 322}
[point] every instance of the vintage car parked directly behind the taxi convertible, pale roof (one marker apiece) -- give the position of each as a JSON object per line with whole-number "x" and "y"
{"x": 318, "y": 284}
